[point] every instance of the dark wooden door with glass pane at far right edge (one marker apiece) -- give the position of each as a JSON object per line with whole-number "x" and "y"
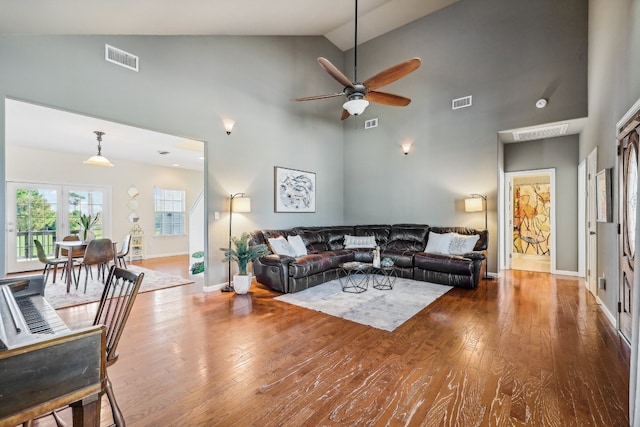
{"x": 628, "y": 179}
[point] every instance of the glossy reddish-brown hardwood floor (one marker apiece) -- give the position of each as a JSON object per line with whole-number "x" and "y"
{"x": 529, "y": 349}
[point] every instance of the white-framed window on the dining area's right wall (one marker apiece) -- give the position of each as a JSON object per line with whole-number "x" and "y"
{"x": 169, "y": 212}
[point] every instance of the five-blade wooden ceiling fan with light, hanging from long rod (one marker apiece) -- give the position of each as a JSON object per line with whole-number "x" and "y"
{"x": 359, "y": 94}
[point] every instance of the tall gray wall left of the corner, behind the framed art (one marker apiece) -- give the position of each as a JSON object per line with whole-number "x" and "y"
{"x": 184, "y": 86}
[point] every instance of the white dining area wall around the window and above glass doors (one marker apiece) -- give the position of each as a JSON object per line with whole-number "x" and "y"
{"x": 31, "y": 165}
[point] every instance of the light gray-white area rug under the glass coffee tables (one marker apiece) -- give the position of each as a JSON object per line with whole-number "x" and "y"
{"x": 384, "y": 310}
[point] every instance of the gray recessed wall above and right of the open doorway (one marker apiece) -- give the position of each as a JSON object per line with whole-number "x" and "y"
{"x": 560, "y": 154}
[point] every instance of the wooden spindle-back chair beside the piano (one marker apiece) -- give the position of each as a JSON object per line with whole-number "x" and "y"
{"x": 120, "y": 292}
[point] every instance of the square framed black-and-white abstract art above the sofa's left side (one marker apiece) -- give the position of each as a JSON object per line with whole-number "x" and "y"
{"x": 294, "y": 190}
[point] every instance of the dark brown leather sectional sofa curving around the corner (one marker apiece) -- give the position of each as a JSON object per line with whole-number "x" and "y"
{"x": 403, "y": 243}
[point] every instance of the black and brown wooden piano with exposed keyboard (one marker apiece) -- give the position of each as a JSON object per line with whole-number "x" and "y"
{"x": 44, "y": 365}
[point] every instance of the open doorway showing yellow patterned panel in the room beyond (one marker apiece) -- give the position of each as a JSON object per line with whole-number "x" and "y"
{"x": 530, "y": 228}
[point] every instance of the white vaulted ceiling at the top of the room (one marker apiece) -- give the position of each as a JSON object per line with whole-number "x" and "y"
{"x": 330, "y": 18}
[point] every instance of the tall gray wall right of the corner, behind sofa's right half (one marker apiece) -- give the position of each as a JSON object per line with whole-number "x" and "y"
{"x": 507, "y": 54}
